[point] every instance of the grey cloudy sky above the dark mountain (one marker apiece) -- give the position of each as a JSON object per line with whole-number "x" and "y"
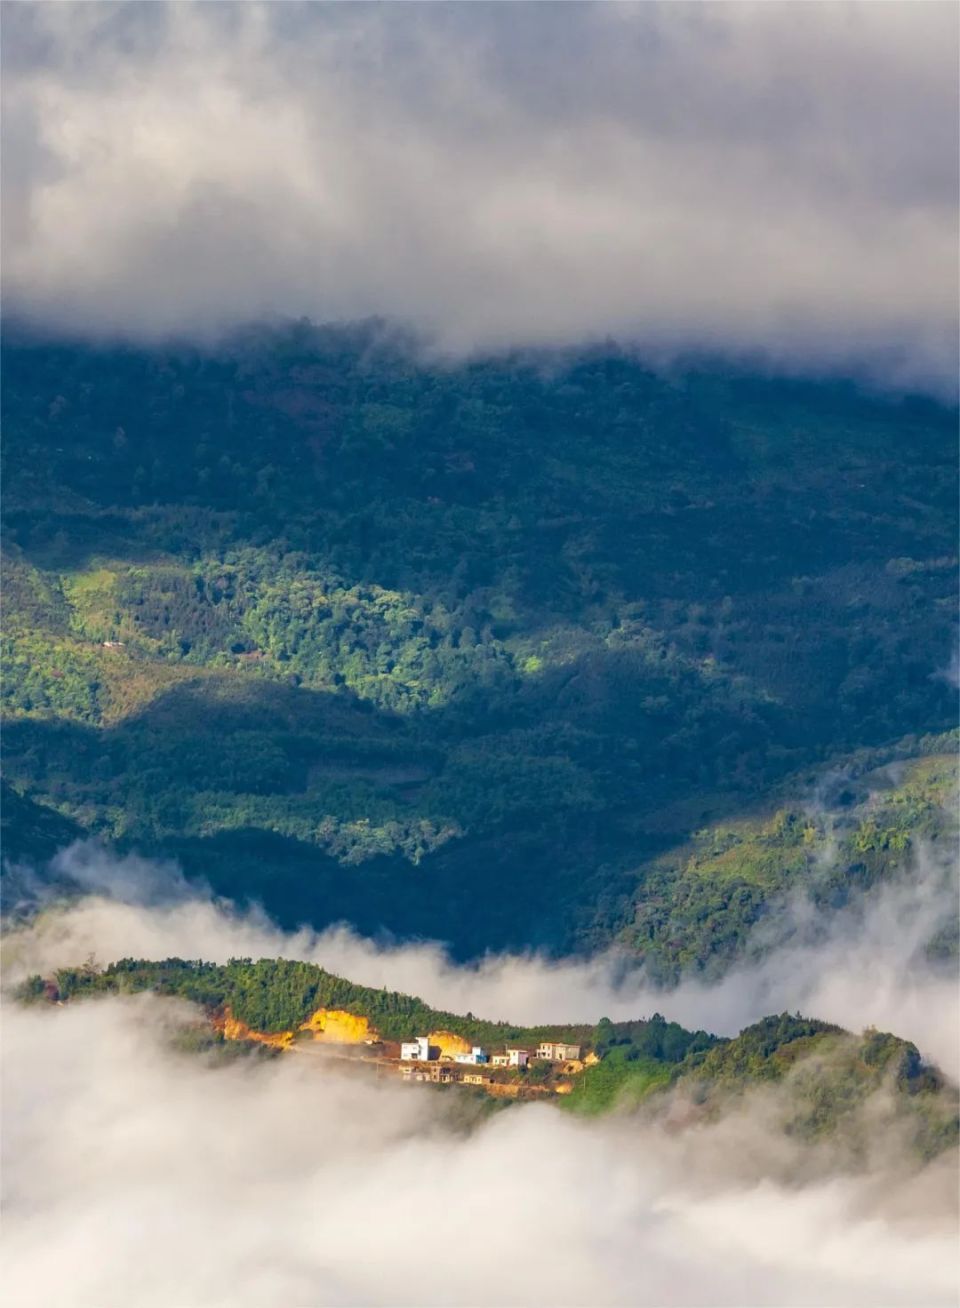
{"x": 768, "y": 181}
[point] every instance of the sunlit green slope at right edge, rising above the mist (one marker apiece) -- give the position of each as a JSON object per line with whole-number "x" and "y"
{"x": 696, "y": 904}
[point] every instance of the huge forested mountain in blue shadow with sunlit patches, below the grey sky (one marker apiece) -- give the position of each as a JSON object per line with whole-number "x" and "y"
{"x": 532, "y": 651}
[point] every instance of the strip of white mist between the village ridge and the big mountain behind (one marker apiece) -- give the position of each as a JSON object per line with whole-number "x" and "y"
{"x": 861, "y": 967}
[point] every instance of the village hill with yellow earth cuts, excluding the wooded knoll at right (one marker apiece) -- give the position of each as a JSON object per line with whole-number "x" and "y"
{"x": 282, "y": 1007}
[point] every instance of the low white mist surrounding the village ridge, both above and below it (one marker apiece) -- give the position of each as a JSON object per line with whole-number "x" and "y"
{"x": 135, "y": 1174}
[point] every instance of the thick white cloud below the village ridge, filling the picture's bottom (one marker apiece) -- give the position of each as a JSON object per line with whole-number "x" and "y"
{"x": 138, "y": 1175}
